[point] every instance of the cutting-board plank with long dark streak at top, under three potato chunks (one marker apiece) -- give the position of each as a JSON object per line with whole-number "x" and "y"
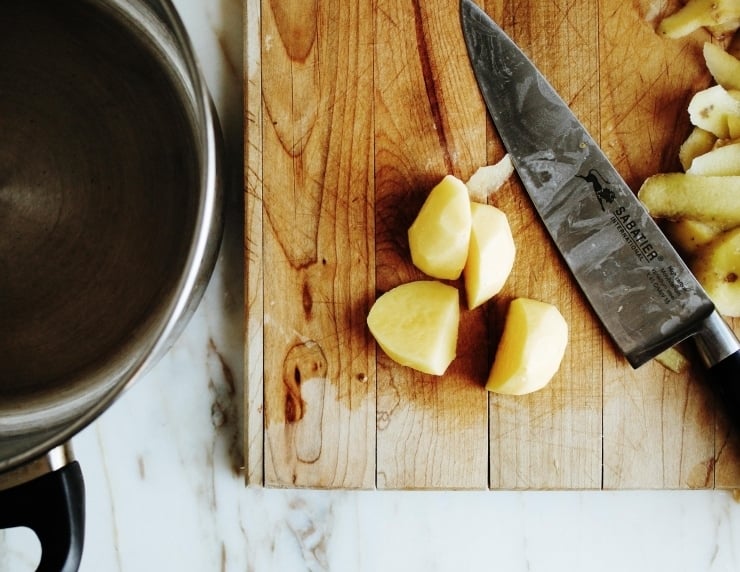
{"x": 424, "y": 128}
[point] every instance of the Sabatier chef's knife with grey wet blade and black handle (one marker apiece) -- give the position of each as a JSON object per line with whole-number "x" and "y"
{"x": 637, "y": 284}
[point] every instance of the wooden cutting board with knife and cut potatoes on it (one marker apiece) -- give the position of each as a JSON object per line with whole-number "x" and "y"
{"x": 354, "y": 110}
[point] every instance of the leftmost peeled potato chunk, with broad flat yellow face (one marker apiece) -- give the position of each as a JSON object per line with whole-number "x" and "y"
{"x": 416, "y": 325}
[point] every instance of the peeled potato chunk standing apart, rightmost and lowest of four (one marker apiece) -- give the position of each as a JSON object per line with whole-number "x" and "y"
{"x": 531, "y": 349}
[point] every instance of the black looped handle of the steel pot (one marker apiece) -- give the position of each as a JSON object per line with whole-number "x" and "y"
{"x": 53, "y": 506}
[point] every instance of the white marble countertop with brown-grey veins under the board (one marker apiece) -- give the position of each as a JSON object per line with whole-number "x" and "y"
{"x": 164, "y": 491}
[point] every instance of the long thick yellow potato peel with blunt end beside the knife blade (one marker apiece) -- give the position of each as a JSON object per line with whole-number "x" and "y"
{"x": 676, "y": 196}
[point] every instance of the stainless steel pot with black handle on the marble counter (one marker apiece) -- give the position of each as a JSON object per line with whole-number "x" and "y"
{"x": 110, "y": 221}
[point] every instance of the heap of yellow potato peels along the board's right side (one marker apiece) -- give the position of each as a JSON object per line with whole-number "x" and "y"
{"x": 700, "y": 208}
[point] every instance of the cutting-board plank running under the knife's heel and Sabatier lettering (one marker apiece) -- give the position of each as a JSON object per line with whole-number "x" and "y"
{"x": 658, "y": 426}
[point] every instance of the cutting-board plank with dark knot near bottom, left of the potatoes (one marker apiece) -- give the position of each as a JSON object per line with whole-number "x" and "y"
{"x": 318, "y": 248}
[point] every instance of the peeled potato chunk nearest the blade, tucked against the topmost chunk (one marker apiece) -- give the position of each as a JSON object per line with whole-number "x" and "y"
{"x": 490, "y": 256}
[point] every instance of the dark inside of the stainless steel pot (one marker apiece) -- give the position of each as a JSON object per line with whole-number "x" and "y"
{"x": 98, "y": 198}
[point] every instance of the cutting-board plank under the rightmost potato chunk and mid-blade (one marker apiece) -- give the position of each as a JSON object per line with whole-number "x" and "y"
{"x": 552, "y": 438}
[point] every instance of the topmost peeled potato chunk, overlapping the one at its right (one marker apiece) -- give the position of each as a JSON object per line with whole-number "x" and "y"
{"x": 439, "y": 236}
